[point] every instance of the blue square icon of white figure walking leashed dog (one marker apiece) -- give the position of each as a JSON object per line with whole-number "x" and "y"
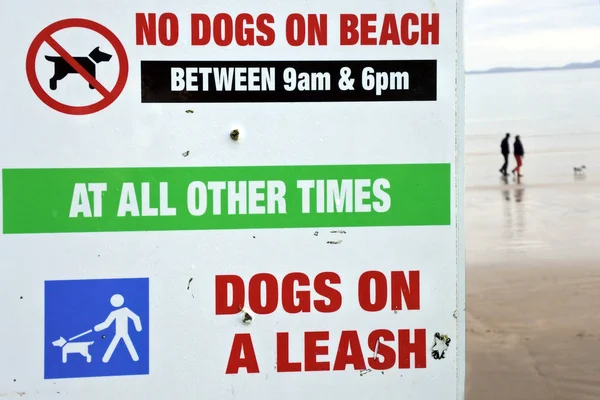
{"x": 96, "y": 327}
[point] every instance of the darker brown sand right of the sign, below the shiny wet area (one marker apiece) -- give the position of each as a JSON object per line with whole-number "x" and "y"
{"x": 533, "y": 333}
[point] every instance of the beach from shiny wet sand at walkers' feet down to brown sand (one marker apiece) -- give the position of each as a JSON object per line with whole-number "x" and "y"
{"x": 533, "y": 278}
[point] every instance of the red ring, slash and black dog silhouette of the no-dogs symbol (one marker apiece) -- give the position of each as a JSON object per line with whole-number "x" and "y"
{"x": 66, "y": 63}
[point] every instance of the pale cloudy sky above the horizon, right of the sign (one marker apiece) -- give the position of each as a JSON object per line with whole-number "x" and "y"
{"x": 530, "y": 33}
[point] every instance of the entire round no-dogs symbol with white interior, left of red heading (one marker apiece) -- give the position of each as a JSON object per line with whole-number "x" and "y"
{"x": 82, "y": 72}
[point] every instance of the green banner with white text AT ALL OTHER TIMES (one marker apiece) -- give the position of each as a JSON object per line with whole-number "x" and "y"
{"x": 198, "y": 198}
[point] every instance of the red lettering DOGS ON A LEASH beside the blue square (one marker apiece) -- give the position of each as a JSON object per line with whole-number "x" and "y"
{"x": 325, "y": 350}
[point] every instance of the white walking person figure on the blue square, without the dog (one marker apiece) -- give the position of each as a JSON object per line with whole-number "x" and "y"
{"x": 121, "y": 317}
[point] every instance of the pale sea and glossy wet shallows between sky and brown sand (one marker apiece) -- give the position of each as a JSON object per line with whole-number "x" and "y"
{"x": 552, "y": 213}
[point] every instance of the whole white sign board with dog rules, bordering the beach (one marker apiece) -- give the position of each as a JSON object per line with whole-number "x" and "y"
{"x": 222, "y": 201}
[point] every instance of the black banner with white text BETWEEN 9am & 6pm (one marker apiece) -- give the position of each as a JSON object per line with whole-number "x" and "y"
{"x": 287, "y": 81}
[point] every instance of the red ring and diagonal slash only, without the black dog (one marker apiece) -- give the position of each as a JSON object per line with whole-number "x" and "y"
{"x": 108, "y": 96}
